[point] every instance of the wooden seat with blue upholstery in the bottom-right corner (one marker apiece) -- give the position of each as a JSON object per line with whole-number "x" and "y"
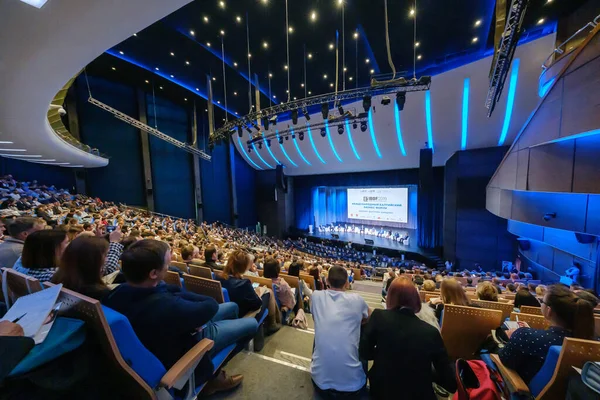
{"x": 550, "y": 383}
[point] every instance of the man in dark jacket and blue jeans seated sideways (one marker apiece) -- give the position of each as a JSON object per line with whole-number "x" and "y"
{"x": 169, "y": 321}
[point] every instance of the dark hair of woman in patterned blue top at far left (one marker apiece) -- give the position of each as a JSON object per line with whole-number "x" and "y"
{"x": 43, "y": 249}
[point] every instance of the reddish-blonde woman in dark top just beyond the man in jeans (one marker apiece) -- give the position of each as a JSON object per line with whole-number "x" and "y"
{"x": 240, "y": 290}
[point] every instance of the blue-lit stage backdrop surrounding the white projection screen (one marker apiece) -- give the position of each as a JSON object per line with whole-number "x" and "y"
{"x": 330, "y": 206}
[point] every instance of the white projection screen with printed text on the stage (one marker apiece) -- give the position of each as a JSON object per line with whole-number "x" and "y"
{"x": 378, "y": 204}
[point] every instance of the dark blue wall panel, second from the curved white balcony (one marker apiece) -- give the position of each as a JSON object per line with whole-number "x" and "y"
{"x": 172, "y": 168}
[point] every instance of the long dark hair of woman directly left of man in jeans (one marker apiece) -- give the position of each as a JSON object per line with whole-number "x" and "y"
{"x": 81, "y": 263}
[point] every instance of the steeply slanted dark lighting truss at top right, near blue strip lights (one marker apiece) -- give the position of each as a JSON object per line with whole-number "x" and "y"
{"x": 506, "y": 51}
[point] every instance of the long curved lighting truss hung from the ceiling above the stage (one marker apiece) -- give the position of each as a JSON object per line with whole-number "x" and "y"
{"x": 376, "y": 88}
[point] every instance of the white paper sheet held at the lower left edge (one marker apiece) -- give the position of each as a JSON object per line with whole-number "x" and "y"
{"x": 33, "y": 309}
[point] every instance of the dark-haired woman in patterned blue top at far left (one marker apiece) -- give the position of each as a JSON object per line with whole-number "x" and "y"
{"x": 41, "y": 253}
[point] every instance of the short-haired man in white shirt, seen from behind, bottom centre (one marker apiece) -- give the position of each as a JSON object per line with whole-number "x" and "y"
{"x": 335, "y": 367}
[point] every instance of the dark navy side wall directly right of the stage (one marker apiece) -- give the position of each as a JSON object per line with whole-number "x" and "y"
{"x": 471, "y": 233}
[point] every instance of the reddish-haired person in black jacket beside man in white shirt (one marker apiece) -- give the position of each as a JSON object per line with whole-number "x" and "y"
{"x": 396, "y": 334}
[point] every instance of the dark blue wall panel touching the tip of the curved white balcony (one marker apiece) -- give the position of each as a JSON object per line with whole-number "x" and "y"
{"x": 122, "y": 180}
